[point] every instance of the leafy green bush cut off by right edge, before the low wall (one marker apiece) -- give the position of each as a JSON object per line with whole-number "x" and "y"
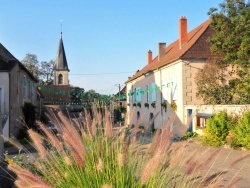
{"x": 241, "y": 132}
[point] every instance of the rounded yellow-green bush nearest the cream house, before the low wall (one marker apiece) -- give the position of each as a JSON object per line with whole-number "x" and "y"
{"x": 217, "y": 129}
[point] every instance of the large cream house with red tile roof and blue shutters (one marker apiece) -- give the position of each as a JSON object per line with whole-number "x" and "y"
{"x": 167, "y": 82}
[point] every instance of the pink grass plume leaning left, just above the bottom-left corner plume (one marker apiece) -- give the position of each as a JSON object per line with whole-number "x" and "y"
{"x": 38, "y": 142}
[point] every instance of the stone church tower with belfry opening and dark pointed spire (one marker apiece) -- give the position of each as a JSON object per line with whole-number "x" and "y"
{"x": 61, "y": 70}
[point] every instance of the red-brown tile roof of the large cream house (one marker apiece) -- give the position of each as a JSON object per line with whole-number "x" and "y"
{"x": 174, "y": 52}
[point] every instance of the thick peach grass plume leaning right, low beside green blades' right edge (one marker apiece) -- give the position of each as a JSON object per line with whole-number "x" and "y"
{"x": 150, "y": 168}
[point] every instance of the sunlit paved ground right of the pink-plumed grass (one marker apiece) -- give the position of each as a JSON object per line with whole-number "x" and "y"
{"x": 223, "y": 162}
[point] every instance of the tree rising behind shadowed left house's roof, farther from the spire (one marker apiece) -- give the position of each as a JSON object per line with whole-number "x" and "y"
{"x": 32, "y": 64}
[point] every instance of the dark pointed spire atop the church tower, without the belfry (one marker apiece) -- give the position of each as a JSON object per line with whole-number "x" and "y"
{"x": 61, "y": 61}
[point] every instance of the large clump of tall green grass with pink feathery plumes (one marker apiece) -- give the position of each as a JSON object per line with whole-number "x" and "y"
{"x": 92, "y": 154}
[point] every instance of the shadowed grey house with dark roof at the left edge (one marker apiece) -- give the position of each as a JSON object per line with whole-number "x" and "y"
{"x": 17, "y": 87}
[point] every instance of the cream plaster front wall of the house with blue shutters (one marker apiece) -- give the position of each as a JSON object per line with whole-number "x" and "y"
{"x": 161, "y": 77}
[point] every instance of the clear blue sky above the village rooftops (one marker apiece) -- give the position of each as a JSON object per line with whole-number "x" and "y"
{"x": 105, "y": 41}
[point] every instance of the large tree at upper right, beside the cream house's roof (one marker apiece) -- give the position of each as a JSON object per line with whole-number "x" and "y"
{"x": 230, "y": 43}
